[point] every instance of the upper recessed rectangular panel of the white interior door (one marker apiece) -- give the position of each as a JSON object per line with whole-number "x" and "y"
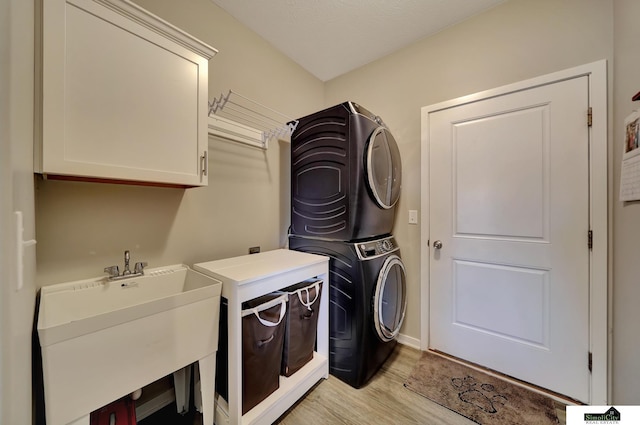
{"x": 484, "y": 181}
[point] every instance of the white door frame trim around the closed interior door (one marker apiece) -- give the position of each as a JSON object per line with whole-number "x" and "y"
{"x": 599, "y": 324}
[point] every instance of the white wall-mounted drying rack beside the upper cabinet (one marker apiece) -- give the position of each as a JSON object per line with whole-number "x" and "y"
{"x": 241, "y": 119}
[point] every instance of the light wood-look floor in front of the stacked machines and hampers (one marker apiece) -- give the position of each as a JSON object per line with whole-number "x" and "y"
{"x": 384, "y": 400}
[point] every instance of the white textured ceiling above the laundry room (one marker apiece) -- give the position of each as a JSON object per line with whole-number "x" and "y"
{"x": 331, "y": 37}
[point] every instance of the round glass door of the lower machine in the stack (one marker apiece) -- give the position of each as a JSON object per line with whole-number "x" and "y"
{"x": 390, "y": 300}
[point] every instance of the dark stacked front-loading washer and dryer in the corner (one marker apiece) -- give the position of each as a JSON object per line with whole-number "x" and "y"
{"x": 345, "y": 184}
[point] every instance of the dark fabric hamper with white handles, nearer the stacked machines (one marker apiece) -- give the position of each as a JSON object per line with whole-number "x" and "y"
{"x": 301, "y": 325}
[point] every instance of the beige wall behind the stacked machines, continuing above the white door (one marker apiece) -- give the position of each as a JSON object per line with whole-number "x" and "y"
{"x": 517, "y": 40}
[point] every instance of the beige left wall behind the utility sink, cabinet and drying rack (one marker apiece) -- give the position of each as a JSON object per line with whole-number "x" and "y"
{"x": 83, "y": 227}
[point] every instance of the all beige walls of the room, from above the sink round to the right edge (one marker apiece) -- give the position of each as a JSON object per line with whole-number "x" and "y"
{"x": 83, "y": 227}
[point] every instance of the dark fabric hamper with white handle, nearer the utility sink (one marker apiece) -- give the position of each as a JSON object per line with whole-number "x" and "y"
{"x": 262, "y": 338}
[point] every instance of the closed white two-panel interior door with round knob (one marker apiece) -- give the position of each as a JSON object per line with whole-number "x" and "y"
{"x": 509, "y": 209}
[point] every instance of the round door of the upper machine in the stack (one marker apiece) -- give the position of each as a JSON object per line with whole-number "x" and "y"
{"x": 383, "y": 168}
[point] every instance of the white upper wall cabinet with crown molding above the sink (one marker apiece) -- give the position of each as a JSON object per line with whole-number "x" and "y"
{"x": 123, "y": 96}
